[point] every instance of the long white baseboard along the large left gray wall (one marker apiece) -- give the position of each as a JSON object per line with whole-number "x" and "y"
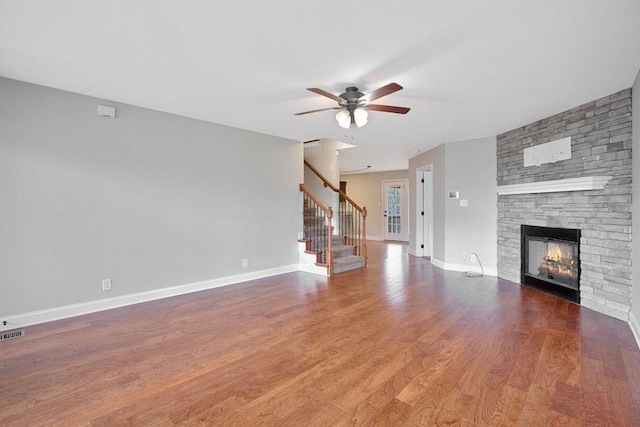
{"x": 63, "y": 312}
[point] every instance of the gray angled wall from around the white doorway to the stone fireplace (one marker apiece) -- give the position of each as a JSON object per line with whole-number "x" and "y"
{"x": 470, "y": 168}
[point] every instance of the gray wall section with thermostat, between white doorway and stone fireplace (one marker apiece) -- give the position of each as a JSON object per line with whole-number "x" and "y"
{"x": 470, "y": 168}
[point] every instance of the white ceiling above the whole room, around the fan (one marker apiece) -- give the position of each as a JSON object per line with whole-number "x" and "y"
{"x": 469, "y": 68}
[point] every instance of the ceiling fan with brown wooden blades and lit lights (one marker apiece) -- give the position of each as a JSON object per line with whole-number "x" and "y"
{"x": 353, "y": 104}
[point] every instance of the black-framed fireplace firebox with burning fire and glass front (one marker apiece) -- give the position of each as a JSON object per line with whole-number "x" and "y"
{"x": 551, "y": 260}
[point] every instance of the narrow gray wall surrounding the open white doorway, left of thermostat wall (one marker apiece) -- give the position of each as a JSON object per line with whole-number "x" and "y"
{"x": 436, "y": 159}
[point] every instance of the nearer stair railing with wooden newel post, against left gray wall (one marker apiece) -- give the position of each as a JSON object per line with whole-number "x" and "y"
{"x": 318, "y": 219}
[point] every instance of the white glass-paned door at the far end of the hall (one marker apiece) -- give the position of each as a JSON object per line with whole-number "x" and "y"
{"x": 395, "y": 210}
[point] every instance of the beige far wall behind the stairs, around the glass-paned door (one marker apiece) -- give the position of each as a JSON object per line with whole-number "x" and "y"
{"x": 366, "y": 190}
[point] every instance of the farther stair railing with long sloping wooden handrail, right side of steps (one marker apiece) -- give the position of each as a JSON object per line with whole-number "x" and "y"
{"x": 351, "y": 221}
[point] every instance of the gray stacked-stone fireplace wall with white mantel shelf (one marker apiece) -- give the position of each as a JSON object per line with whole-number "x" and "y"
{"x": 588, "y": 190}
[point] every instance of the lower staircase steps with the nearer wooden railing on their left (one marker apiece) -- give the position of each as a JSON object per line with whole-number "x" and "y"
{"x": 331, "y": 251}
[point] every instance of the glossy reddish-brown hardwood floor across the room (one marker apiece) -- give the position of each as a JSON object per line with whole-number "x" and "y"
{"x": 401, "y": 343}
